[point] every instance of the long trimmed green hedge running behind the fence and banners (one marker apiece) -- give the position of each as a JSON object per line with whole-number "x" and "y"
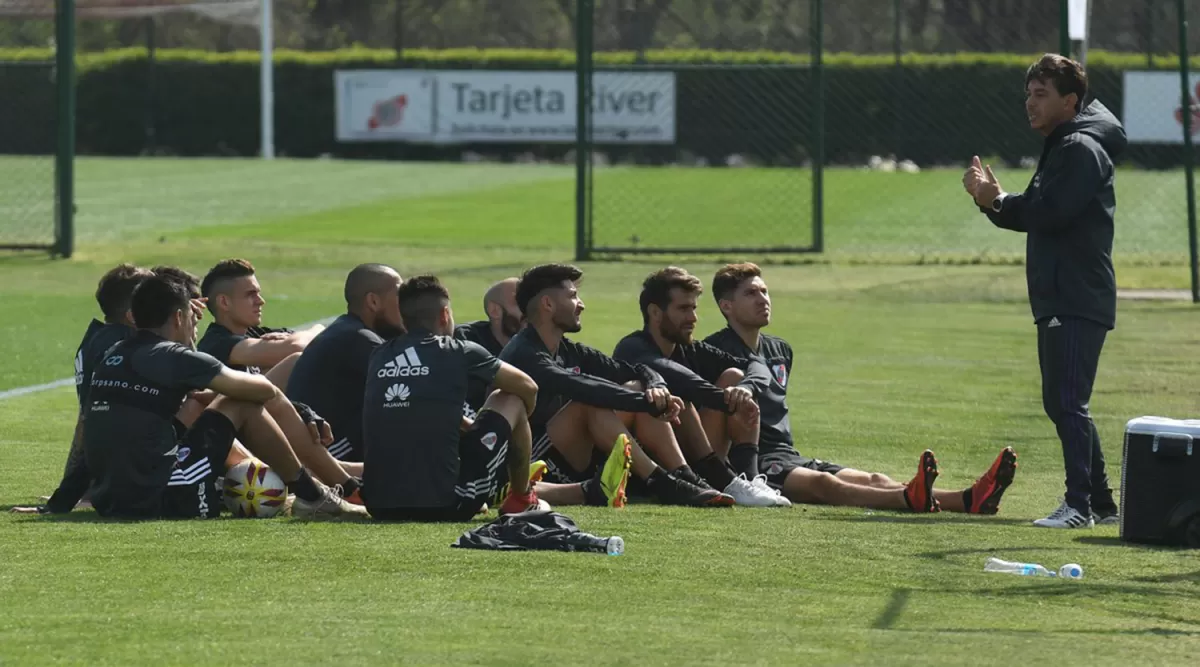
{"x": 935, "y": 109}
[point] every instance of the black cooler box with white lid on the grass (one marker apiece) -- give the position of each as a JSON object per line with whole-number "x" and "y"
{"x": 1161, "y": 482}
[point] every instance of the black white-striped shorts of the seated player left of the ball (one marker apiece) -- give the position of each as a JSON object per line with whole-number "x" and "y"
{"x": 199, "y": 479}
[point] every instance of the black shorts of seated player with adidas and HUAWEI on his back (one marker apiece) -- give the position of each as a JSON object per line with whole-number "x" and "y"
{"x": 483, "y": 453}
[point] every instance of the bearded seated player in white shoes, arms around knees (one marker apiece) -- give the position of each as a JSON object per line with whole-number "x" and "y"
{"x": 719, "y": 389}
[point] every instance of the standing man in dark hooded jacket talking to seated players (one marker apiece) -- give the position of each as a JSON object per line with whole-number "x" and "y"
{"x": 1067, "y": 217}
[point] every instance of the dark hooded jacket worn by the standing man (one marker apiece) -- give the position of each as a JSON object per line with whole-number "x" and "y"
{"x": 1067, "y": 212}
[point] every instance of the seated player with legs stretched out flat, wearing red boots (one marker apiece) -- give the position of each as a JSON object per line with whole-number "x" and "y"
{"x": 742, "y": 297}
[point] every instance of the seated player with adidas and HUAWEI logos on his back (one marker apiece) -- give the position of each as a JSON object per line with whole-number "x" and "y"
{"x": 421, "y": 465}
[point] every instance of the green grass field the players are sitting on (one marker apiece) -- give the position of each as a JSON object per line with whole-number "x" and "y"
{"x": 891, "y": 359}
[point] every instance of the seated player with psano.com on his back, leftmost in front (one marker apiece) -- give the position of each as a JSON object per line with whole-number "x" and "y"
{"x": 143, "y": 465}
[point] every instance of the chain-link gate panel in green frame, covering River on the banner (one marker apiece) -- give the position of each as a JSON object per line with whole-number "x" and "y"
{"x": 729, "y": 166}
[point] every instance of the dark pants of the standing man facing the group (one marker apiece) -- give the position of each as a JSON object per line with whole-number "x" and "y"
{"x": 1070, "y": 352}
